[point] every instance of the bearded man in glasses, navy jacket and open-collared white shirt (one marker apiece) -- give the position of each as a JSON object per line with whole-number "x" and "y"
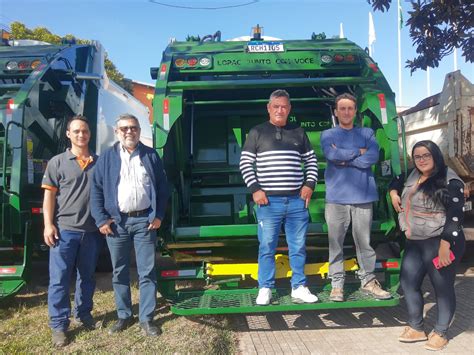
{"x": 128, "y": 199}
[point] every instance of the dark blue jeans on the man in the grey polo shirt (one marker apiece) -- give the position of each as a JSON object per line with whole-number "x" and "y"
{"x": 73, "y": 251}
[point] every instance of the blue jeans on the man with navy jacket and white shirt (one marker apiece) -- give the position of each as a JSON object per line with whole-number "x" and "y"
{"x": 133, "y": 231}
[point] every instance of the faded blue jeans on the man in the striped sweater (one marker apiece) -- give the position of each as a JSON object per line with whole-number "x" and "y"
{"x": 290, "y": 211}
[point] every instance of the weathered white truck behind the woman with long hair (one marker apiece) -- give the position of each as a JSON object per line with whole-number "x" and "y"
{"x": 447, "y": 119}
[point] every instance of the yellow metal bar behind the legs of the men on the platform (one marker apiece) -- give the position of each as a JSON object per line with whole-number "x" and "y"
{"x": 282, "y": 268}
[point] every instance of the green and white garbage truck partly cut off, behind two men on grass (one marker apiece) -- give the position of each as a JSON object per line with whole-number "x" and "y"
{"x": 41, "y": 87}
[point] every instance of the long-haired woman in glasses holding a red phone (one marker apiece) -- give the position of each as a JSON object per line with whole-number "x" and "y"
{"x": 430, "y": 206}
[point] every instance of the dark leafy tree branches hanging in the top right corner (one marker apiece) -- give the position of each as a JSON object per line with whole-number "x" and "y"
{"x": 436, "y": 28}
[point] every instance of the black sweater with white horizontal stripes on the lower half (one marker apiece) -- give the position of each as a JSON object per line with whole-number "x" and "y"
{"x": 272, "y": 160}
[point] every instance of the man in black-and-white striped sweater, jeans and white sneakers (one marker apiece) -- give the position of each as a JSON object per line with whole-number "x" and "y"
{"x": 271, "y": 167}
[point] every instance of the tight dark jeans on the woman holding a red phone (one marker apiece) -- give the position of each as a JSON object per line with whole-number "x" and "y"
{"x": 417, "y": 262}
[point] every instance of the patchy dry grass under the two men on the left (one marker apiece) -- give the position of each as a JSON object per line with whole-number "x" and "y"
{"x": 24, "y": 328}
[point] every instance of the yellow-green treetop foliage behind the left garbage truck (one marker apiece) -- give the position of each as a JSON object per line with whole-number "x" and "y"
{"x": 20, "y": 31}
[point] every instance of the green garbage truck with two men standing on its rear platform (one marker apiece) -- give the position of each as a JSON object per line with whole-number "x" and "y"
{"x": 209, "y": 93}
